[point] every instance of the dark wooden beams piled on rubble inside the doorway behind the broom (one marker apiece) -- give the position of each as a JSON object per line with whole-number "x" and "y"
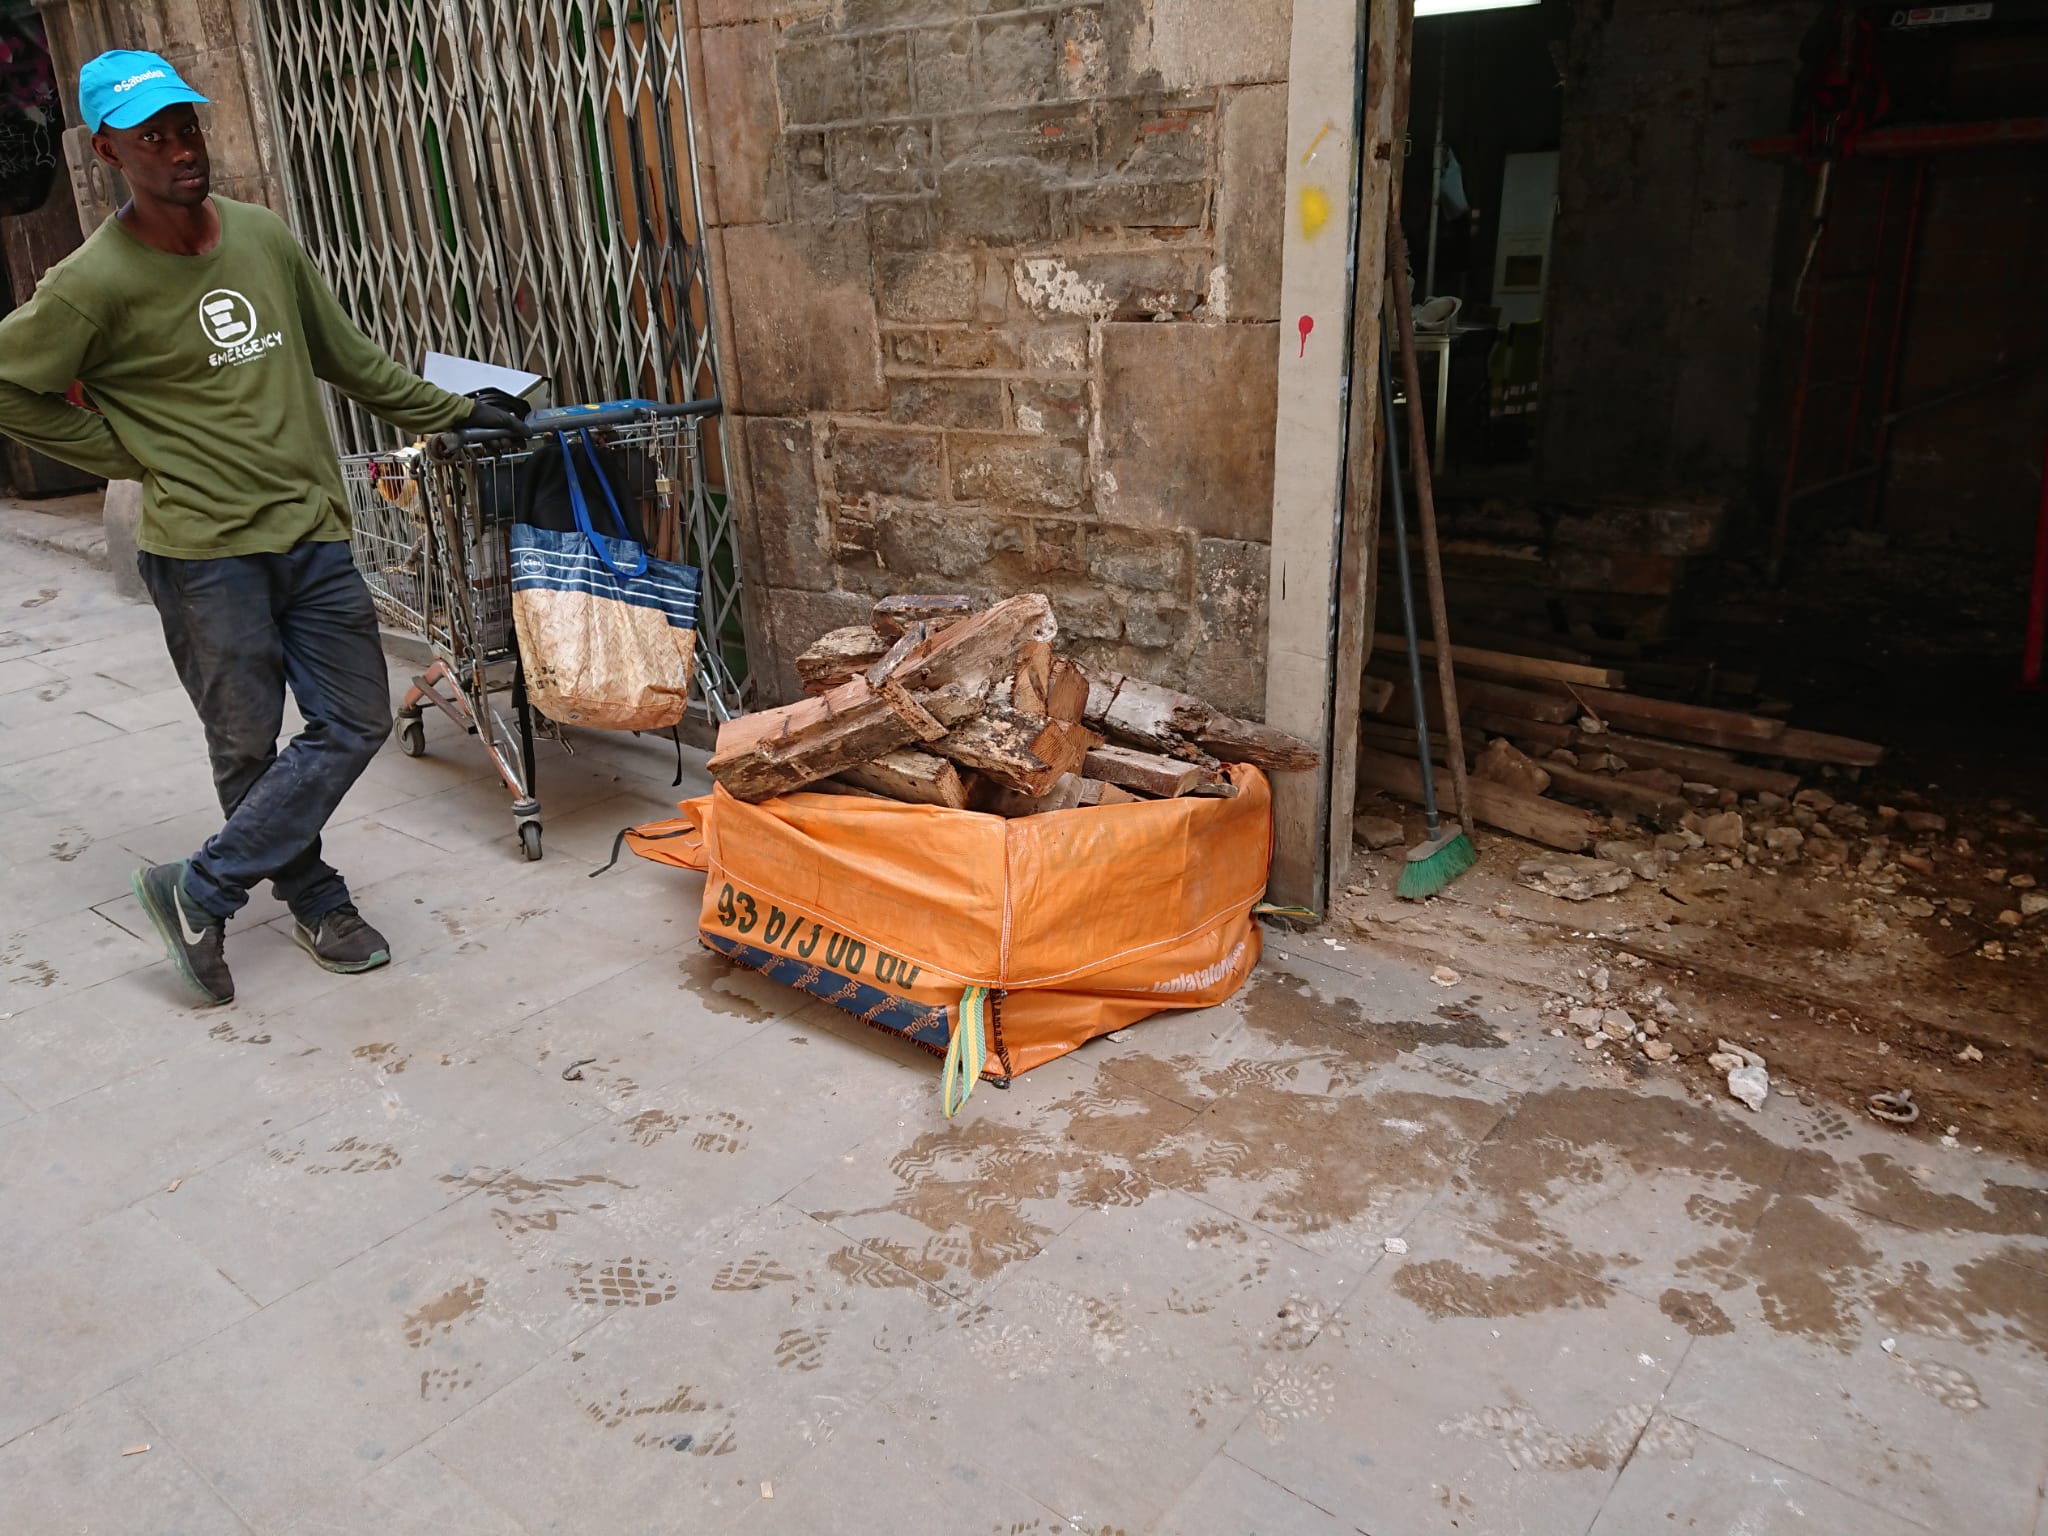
{"x": 1564, "y": 734}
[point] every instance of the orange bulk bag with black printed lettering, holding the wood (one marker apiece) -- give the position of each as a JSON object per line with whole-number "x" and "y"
{"x": 1041, "y": 933}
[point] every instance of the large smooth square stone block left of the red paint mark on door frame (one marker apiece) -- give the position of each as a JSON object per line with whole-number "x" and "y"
{"x": 1189, "y": 458}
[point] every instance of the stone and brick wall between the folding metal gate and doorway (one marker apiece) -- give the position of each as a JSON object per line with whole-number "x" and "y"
{"x": 998, "y": 312}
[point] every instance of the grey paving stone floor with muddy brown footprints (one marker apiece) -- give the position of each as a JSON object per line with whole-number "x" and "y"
{"x": 351, "y": 1256}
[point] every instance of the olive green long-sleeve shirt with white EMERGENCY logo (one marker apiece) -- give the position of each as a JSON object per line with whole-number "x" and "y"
{"x": 206, "y": 372}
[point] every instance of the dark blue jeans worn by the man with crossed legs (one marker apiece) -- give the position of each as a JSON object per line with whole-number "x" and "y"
{"x": 241, "y": 630}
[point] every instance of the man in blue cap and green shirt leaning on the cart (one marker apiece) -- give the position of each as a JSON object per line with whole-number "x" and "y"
{"x": 200, "y": 329}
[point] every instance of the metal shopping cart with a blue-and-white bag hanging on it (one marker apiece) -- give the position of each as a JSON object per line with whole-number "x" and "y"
{"x": 433, "y": 540}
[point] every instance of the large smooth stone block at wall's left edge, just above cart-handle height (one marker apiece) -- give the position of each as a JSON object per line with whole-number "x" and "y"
{"x": 802, "y": 314}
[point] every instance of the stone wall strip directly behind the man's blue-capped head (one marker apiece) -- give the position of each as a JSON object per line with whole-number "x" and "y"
{"x": 214, "y": 46}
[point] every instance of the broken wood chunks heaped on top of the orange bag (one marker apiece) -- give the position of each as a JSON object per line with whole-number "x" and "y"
{"x": 939, "y": 701}
